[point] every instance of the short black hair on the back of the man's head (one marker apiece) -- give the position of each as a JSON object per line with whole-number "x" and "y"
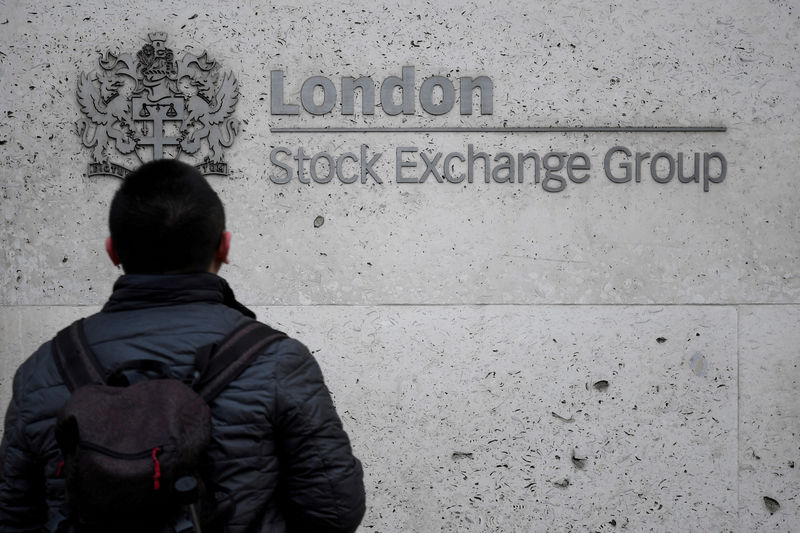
{"x": 166, "y": 218}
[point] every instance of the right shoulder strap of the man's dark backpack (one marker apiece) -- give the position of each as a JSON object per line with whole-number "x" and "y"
{"x": 232, "y": 356}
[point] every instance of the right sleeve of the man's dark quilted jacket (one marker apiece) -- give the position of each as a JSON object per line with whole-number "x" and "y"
{"x": 322, "y": 482}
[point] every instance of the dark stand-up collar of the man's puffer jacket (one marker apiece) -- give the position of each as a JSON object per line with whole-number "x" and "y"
{"x": 140, "y": 291}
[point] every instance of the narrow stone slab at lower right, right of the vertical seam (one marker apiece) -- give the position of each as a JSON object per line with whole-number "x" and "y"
{"x": 769, "y": 418}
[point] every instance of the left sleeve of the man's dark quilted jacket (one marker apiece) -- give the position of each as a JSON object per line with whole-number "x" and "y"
{"x": 22, "y": 499}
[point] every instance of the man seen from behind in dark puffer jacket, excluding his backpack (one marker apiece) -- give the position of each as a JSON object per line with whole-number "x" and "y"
{"x": 277, "y": 445}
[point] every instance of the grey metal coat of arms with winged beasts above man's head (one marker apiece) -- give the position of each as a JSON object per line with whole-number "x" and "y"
{"x": 155, "y": 105}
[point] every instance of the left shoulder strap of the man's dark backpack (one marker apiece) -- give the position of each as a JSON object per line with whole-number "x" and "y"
{"x": 74, "y": 359}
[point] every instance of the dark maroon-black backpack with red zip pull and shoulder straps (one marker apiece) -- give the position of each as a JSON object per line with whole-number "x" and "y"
{"x": 134, "y": 455}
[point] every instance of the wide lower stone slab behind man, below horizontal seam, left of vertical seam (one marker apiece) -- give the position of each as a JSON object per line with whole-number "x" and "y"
{"x": 522, "y": 418}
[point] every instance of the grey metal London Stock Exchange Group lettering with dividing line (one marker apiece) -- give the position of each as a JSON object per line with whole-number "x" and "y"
{"x": 553, "y": 170}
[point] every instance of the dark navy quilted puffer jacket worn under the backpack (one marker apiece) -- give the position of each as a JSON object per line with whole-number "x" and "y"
{"x": 277, "y": 443}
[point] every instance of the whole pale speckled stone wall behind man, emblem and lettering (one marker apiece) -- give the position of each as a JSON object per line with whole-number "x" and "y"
{"x": 613, "y": 356}
